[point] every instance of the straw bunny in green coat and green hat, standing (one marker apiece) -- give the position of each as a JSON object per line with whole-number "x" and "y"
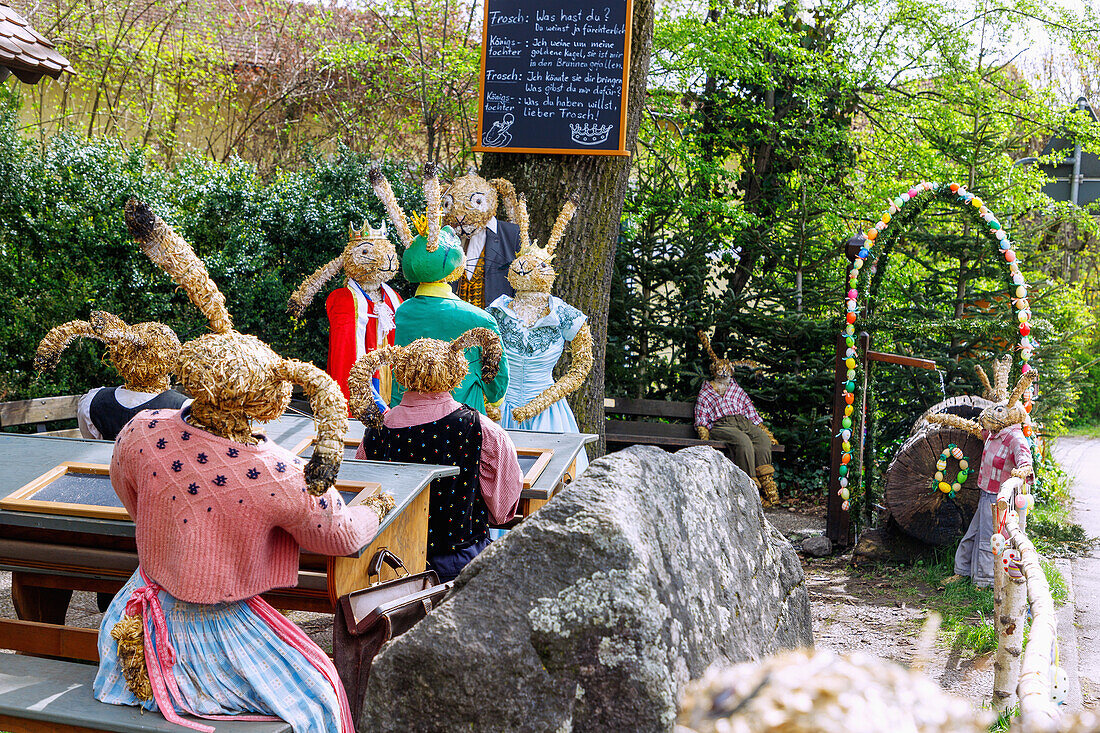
{"x": 434, "y": 260}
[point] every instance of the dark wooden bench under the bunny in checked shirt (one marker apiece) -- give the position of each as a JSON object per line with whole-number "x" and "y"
{"x": 668, "y": 425}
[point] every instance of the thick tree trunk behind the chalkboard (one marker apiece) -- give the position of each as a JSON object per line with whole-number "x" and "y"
{"x": 586, "y": 257}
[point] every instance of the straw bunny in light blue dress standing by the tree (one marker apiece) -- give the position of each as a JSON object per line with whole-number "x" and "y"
{"x": 535, "y": 329}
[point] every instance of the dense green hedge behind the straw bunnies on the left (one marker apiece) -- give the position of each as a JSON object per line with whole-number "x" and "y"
{"x": 65, "y": 250}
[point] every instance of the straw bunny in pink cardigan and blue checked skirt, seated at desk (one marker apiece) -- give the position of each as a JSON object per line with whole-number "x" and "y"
{"x": 222, "y": 517}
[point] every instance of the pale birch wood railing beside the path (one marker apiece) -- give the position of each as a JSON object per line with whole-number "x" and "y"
{"x": 1021, "y": 673}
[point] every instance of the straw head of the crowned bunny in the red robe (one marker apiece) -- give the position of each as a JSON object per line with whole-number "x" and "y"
{"x": 370, "y": 259}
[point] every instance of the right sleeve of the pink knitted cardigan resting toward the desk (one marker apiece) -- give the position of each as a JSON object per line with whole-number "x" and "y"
{"x": 326, "y": 526}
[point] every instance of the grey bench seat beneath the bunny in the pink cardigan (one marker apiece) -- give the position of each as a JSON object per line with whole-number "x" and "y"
{"x": 38, "y": 696}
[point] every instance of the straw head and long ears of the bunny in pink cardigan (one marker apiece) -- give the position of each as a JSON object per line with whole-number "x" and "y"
{"x": 235, "y": 378}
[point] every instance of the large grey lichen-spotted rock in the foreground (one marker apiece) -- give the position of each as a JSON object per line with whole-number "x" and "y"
{"x": 595, "y": 614}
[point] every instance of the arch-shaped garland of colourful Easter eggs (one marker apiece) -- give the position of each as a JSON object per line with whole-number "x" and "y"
{"x": 903, "y": 210}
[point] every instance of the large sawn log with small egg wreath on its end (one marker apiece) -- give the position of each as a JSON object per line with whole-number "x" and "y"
{"x": 932, "y": 517}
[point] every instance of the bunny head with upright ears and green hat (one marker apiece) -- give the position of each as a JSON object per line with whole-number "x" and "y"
{"x": 436, "y": 255}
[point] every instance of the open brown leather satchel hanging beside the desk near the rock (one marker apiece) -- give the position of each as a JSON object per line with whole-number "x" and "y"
{"x": 369, "y": 618}
